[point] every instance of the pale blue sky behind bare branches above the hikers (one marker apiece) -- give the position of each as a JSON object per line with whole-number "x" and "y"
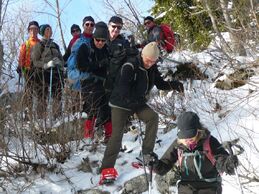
{"x": 76, "y": 10}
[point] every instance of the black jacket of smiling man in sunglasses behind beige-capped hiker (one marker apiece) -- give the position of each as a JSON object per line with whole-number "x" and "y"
{"x": 117, "y": 54}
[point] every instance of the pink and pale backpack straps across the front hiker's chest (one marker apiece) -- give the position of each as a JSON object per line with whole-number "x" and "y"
{"x": 206, "y": 151}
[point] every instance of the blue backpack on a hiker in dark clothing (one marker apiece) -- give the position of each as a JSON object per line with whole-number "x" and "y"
{"x": 73, "y": 74}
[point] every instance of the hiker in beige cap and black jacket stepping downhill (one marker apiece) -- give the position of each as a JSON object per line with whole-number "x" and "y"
{"x": 134, "y": 81}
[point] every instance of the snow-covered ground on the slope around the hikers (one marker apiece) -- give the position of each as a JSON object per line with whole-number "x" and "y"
{"x": 237, "y": 118}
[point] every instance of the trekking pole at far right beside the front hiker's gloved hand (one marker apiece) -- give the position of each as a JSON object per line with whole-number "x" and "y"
{"x": 228, "y": 145}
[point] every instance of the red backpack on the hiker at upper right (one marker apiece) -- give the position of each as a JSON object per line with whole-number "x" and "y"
{"x": 168, "y": 38}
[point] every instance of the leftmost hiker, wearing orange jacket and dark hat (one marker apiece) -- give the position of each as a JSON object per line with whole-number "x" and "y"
{"x": 25, "y": 64}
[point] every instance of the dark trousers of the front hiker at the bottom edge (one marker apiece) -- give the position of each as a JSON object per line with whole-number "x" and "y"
{"x": 214, "y": 188}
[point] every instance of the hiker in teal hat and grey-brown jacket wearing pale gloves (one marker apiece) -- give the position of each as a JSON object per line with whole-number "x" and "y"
{"x": 48, "y": 63}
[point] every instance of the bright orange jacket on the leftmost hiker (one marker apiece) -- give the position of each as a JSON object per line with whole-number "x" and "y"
{"x": 25, "y": 52}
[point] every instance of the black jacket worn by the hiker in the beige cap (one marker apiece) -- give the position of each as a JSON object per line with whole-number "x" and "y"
{"x": 134, "y": 82}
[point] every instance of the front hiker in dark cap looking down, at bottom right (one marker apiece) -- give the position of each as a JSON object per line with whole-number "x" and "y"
{"x": 201, "y": 158}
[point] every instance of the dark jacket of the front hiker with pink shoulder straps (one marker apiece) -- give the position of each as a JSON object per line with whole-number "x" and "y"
{"x": 188, "y": 173}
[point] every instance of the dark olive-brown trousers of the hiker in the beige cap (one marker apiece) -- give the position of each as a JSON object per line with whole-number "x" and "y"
{"x": 119, "y": 120}
